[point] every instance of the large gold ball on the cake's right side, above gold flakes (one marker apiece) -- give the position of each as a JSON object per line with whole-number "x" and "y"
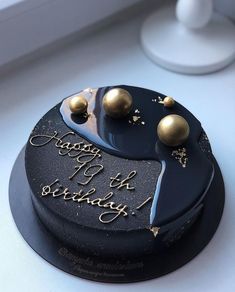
{"x": 173, "y": 130}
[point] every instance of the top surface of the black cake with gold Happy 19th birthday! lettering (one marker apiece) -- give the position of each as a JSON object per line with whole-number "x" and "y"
{"x": 116, "y": 174}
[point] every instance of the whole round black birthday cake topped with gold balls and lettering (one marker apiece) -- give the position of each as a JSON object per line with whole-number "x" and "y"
{"x": 119, "y": 173}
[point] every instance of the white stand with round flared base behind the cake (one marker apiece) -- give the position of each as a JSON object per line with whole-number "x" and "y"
{"x": 189, "y": 39}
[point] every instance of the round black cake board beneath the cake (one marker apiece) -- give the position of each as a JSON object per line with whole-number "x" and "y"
{"x": 109, "y": 269}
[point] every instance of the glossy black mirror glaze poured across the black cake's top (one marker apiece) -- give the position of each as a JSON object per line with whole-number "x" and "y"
{"x": 178, "y": 189}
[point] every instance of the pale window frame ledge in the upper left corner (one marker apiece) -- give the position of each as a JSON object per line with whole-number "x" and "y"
{"x": 27, "y": 25}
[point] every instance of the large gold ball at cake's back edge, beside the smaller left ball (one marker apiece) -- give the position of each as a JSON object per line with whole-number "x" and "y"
{"x": 117, "y": 103}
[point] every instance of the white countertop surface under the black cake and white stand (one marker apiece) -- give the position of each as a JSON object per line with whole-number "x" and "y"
{"x": 113, "y": 56}
